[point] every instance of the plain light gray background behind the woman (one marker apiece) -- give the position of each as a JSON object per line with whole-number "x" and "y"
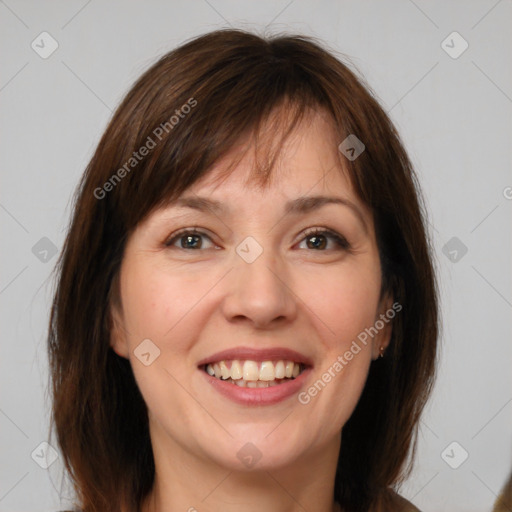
{"x": 454, "y": 115}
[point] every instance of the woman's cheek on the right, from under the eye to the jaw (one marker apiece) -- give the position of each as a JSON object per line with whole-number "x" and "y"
{"x": 345, "y": 304}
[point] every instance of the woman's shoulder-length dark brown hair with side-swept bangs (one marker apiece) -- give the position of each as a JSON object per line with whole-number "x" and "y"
{"x": 232, "y": 81}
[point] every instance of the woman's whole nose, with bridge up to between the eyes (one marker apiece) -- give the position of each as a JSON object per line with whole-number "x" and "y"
{"x": 259, "y": 291}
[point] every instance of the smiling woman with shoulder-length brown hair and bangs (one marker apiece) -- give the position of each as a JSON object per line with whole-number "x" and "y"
{"x": 246, "y": 311}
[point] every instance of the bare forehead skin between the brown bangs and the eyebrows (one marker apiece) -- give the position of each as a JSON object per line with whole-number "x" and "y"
{"x": 306, "y": 162}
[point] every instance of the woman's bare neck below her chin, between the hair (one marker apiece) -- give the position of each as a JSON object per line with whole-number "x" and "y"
{"x": 185, "y": 482}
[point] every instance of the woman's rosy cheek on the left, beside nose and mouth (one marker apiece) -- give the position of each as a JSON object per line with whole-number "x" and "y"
{"x": 171, "y": 308}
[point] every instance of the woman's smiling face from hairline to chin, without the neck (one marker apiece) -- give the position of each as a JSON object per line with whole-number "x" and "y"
{"x": 270, "y": 282}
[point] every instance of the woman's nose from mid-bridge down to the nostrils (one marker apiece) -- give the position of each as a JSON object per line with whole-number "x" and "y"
{"x": 259, "y": 293}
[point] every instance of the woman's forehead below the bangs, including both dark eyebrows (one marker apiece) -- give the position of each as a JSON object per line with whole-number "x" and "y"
{"x": 307, "y": 174}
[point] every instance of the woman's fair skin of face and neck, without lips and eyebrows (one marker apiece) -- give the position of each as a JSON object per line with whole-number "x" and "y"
{"x": 193, "y": 303}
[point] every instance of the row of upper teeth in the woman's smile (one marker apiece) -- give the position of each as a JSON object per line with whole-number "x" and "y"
{"x": 253, "y": 370}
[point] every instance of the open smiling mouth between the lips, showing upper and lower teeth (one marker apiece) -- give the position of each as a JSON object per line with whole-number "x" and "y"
{"x": 254, "y": 374}
